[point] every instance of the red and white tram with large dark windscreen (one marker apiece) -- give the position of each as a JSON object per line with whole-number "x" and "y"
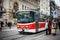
{"x": 29, "y": 21}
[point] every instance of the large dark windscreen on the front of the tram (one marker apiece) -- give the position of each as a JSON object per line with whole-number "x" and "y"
{"x": 24, "y": 17}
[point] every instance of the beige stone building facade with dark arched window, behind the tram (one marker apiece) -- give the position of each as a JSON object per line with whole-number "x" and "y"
{"x": 15, "y": 5}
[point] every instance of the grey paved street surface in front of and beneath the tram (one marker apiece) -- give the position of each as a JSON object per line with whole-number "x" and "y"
{"x": 12, "y": 34}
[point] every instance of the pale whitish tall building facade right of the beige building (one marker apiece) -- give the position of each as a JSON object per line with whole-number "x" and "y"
{"x": 45, "y": 7}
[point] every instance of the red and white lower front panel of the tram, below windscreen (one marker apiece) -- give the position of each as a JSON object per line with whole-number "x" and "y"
{"x": 28, "y": 27}
